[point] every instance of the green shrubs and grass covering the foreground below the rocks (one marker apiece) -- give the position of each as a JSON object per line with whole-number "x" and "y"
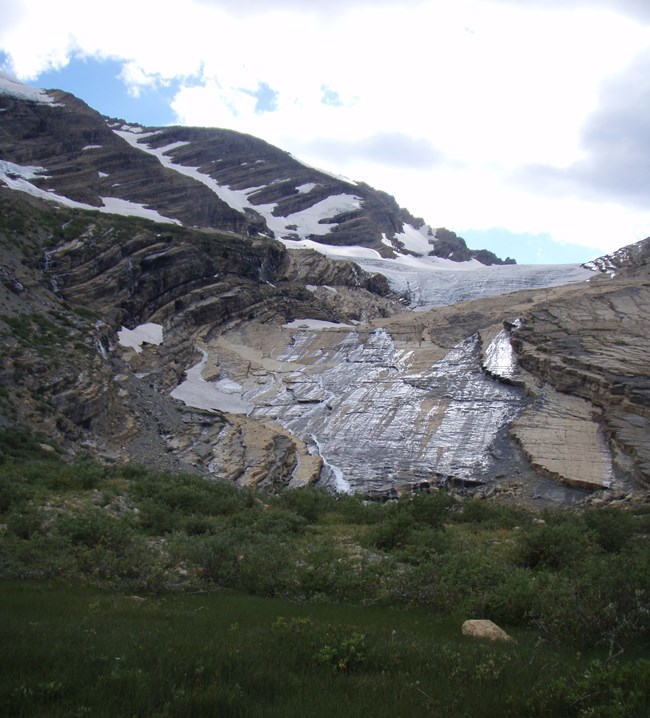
{"x": 132, "y": 592}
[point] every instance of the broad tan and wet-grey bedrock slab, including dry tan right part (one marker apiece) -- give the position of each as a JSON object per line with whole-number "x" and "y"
{"x": 413, "y": 399}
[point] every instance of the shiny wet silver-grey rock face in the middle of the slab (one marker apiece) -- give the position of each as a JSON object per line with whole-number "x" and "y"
{"x": 354, "y": 397}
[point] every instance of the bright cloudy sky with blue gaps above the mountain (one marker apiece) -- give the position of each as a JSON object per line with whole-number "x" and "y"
{"x": 522, "y": 125}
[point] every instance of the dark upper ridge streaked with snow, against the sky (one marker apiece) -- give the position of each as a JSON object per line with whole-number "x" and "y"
{"x": 197, "y": 177}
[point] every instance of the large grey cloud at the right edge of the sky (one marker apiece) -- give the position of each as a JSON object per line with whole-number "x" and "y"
{"x": 616, "y": 146}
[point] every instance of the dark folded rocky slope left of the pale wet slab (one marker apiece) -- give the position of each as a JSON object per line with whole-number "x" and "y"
{"x": 60, "y": 349}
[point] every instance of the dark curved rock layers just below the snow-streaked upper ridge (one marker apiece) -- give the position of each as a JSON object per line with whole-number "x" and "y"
{"x": 130, "y": 270}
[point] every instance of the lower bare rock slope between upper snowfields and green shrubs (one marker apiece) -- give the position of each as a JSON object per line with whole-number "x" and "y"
{"x": 281, "y": 368}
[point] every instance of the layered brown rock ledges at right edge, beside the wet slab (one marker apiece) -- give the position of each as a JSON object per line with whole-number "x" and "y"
{"x": 592, "y": 346}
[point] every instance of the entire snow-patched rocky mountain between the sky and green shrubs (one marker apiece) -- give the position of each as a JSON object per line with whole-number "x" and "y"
{"x": 186, "y": 298}
